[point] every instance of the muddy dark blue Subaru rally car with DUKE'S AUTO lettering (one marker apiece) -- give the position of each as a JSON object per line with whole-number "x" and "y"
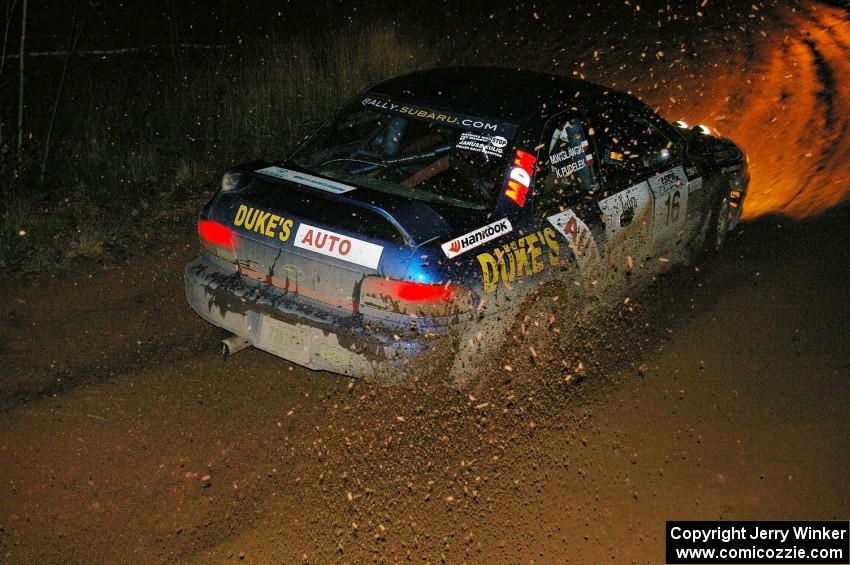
{"x": 406, "y": 232}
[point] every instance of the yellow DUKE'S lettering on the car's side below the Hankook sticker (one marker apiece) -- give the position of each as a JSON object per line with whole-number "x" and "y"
{"x": 518, "y": 258}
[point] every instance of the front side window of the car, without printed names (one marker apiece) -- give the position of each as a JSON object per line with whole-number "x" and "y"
{"x": 631, "y": 145}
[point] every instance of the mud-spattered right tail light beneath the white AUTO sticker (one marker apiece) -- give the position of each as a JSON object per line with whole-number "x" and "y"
{"x": 414, "y": 298}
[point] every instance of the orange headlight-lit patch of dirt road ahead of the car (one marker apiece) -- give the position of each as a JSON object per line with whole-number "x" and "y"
{"x": 787, "y": 106}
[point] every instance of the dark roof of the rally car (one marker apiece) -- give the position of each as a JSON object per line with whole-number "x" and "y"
{"x": 508, "y": 94}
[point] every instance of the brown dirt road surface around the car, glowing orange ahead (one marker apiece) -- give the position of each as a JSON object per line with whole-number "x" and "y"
{"x": 723, "y": 394}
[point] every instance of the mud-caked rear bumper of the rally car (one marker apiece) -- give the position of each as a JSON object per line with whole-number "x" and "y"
{"x": 310, "y": 334}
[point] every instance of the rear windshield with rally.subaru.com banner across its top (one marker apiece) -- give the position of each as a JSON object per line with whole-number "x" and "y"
{"x": 426, "y": 154}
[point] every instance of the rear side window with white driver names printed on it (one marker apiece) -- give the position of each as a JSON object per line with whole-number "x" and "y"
{"x": 567, "y": 169}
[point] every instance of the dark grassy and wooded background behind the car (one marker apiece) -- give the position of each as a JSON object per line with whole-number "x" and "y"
{"x": 144, "y": 103}
